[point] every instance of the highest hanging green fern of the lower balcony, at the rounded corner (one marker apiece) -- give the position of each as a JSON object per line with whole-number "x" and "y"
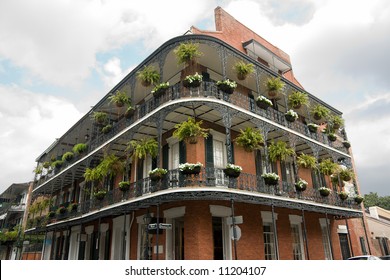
{"x": 189, "y": 131}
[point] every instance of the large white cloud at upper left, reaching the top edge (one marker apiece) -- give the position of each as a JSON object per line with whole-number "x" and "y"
{"x": 57, "y": 41}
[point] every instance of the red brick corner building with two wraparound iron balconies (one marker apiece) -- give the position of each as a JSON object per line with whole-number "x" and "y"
{"x": 211, "y": 214}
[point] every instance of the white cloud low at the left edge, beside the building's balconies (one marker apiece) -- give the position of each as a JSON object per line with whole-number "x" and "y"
{"x": 30, "y": 122}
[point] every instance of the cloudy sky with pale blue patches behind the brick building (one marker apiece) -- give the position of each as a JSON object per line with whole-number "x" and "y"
{"x": 58, "y": 58}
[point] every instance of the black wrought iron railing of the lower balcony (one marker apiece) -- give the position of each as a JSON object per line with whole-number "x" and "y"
{"x": 209, "y": 178}
